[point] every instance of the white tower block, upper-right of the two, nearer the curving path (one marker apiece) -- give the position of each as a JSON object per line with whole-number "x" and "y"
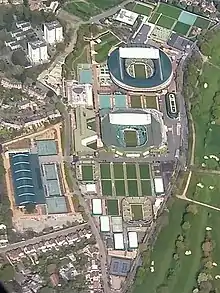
{"x": 53, "y": 32}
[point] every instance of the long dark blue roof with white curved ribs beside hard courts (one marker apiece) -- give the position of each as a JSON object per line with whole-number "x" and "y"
{"x": 26, "y": 178}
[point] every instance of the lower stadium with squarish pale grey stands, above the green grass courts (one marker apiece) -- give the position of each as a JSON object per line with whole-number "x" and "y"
{"x": 134, "y": 131}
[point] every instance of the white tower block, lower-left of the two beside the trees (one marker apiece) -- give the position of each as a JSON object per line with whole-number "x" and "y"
{"x": 37, "y": 52}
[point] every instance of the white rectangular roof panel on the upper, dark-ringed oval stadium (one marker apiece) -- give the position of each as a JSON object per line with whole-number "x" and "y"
{"x": 134, "y": 52}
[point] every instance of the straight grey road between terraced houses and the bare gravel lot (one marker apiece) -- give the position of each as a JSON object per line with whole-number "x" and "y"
{"x": 41, "y": 238}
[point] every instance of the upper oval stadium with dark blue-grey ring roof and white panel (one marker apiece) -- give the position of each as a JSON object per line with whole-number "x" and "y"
{"x": 140, "y": 69}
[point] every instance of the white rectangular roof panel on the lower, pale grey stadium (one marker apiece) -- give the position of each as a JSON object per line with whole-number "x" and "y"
{"x": 130, "y": 118}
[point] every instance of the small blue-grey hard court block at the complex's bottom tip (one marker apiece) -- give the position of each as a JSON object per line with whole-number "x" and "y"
{"x": 120, "y": 266}
